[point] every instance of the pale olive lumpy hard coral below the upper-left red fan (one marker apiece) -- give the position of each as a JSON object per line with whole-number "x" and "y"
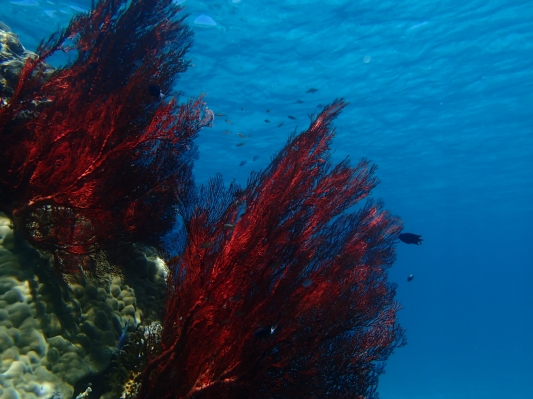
{"x": 49, "y": 340}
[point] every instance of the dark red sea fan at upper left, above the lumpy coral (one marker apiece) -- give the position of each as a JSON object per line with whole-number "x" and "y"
{"x": 90, "y": 159}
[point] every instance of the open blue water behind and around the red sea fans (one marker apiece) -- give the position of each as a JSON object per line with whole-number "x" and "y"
{"x": 442, "y": 102}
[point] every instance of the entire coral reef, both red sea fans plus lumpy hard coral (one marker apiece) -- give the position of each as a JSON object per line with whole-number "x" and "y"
{"x": 279, "y": 290}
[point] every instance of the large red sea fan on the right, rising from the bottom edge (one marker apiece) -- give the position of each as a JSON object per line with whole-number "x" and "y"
{"x": 281, "y": 292}
